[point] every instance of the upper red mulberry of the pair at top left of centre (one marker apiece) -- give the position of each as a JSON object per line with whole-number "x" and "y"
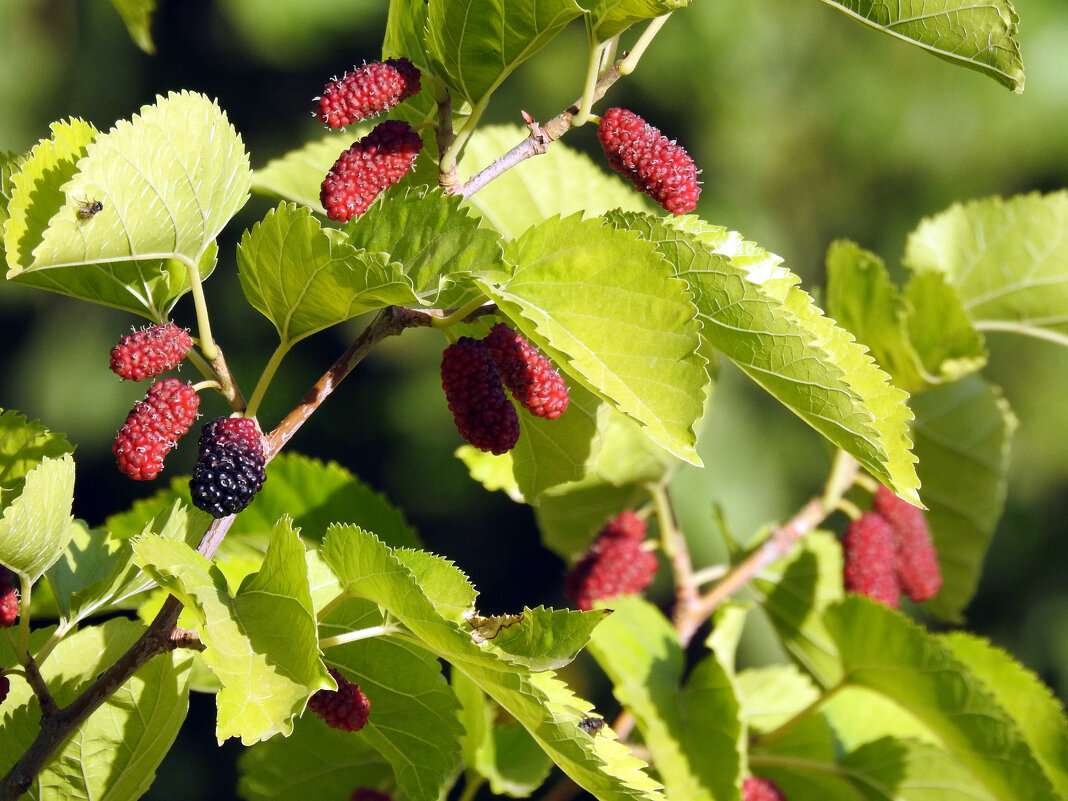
{"x": 367, "y": 91}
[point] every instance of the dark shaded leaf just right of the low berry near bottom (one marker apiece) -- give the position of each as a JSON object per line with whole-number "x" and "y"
{"x": 414, "y": 713}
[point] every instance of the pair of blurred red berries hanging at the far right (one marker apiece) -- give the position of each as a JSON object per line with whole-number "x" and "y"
{"x": 889, "y": 552}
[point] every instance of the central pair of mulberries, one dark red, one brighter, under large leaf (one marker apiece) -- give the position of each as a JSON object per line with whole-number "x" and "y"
{"x": 475, "y": 374}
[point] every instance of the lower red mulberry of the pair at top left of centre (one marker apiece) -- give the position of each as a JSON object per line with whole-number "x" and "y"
{"x": 369, "y": 168}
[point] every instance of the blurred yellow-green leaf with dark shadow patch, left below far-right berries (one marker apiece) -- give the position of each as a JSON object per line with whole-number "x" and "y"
{"x": 796, "y": 591}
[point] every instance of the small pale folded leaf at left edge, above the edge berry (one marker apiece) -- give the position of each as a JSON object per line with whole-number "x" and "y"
{"x": 38, "y": 526}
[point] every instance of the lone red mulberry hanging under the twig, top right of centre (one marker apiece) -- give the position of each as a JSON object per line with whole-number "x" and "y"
{"x": 654, "y": 164}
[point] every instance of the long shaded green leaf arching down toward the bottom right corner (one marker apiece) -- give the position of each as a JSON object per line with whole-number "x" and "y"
{"x": 884, "y": 651}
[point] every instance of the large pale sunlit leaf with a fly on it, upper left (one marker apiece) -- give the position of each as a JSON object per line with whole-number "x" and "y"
{"x": 169, "y": 181}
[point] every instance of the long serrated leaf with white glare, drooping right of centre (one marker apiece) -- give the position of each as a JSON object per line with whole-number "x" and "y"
{"x": 752, "y": 311}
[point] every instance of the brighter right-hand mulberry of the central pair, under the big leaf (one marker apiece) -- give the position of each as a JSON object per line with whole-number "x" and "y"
{"x": 533, "y": 382}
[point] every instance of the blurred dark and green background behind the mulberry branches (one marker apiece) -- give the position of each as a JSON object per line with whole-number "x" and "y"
{"x": 808, "y": 127}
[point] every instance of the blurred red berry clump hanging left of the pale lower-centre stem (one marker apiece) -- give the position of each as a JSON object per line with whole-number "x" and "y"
{"x": 617, "y": 564}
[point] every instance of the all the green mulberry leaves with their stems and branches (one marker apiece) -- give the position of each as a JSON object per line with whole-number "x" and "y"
{"x": 635, "y": 310}
